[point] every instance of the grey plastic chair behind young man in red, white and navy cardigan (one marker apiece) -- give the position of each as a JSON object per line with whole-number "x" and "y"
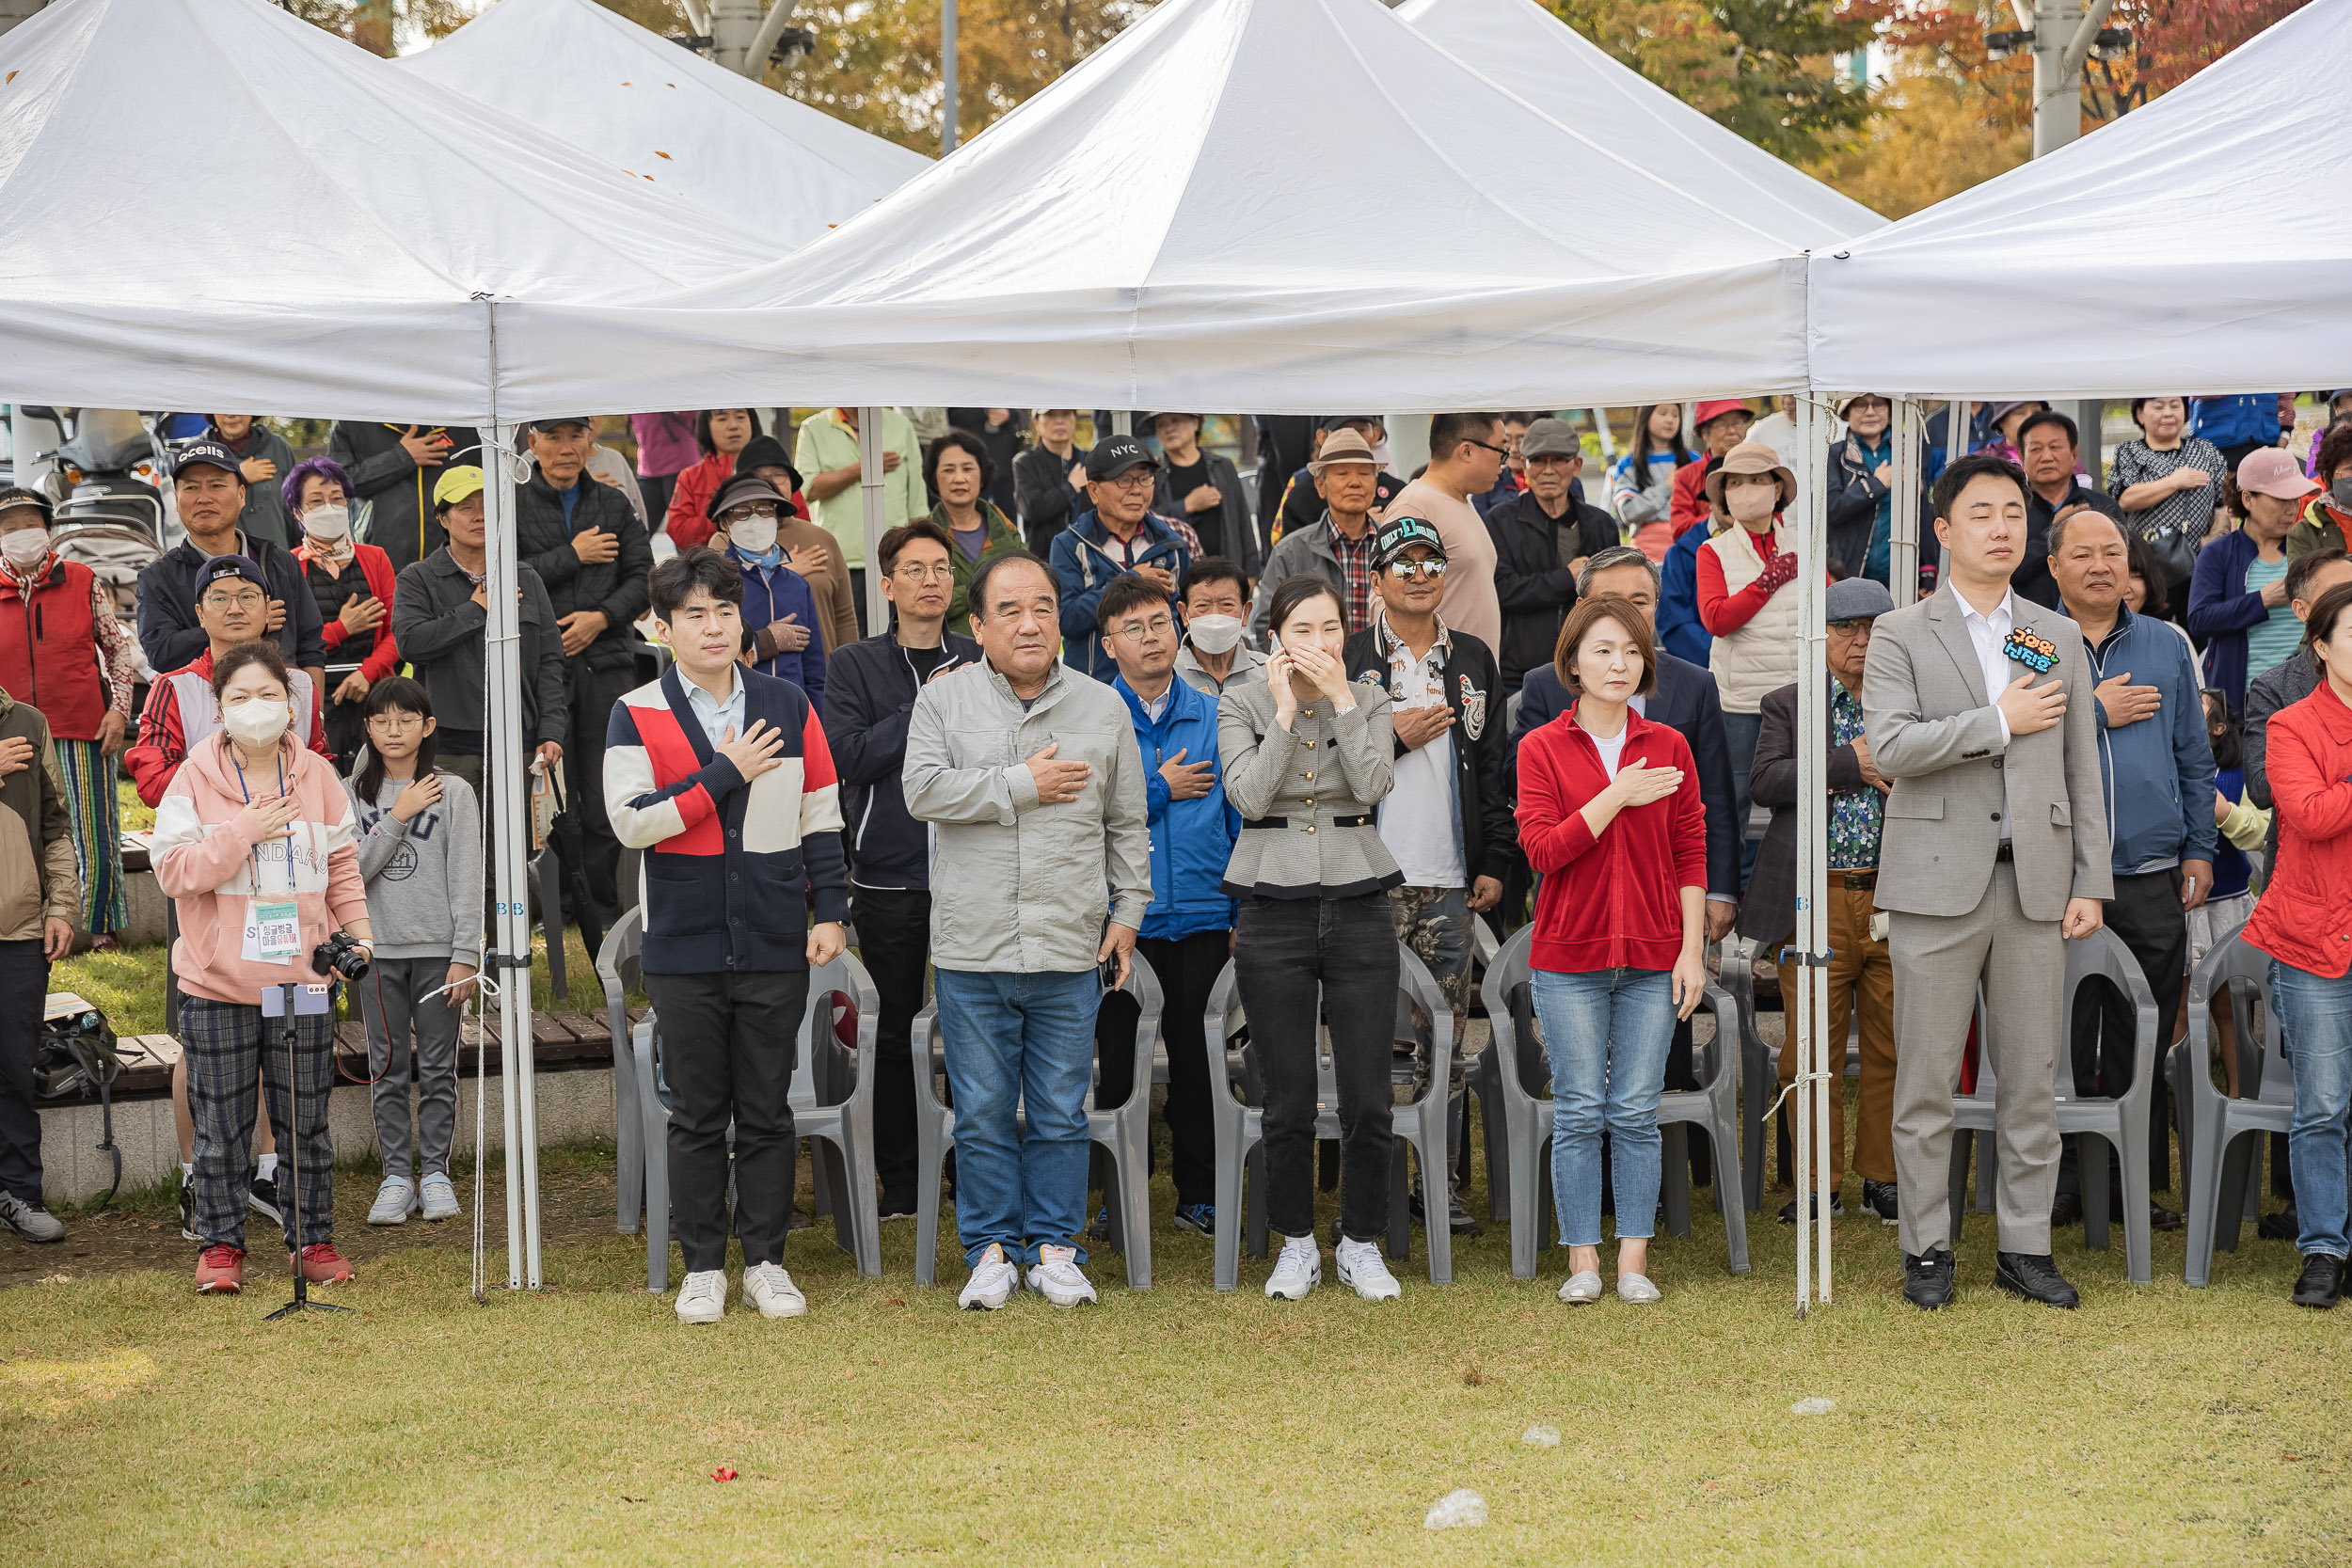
{"x": 824, "y": 1106}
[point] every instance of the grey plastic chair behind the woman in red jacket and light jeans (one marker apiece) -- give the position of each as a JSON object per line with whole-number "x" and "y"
{"x": 1713, "y": 1106}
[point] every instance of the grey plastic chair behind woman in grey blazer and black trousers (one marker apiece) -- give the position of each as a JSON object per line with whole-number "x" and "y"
{"x": 1241, "y": 1127}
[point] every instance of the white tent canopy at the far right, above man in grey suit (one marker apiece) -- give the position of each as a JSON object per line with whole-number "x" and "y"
{"x": 2196, "y": 246}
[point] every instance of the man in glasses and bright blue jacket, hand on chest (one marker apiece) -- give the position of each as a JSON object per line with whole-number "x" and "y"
{"x": 1189, "y": 930}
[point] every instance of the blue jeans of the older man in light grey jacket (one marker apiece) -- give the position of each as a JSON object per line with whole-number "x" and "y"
{"x": 1020, "y": 1045}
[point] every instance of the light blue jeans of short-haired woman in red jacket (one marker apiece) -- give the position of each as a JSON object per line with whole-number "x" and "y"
{"x": 1608, "y": 1036}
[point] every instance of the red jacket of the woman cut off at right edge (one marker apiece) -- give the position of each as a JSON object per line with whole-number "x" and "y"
{"x": 2306, "y": 913}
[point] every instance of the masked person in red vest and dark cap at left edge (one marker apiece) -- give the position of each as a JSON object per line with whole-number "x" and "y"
{"x": 65, "y": 652}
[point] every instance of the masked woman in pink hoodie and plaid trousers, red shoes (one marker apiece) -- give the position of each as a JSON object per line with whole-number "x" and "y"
{"x": 255, "y": 843}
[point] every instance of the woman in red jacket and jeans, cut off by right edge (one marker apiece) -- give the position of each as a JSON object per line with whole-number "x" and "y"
{"x": 2304, "y": 923}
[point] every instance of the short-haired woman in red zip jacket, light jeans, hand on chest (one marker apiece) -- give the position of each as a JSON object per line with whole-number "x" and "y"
{"x": 1610, "y": 819}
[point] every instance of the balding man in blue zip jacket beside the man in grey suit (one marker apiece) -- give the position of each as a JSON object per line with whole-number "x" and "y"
{"x": 2158, "y": 770}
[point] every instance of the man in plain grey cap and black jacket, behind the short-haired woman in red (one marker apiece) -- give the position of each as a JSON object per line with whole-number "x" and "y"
{"x": 1542, "y": 540}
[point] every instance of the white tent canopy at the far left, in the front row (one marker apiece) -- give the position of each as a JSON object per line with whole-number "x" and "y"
{"x": 208, "y": 203}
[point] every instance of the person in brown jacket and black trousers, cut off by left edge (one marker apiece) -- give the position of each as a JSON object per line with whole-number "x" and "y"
{"x": 39, "y": 902}
